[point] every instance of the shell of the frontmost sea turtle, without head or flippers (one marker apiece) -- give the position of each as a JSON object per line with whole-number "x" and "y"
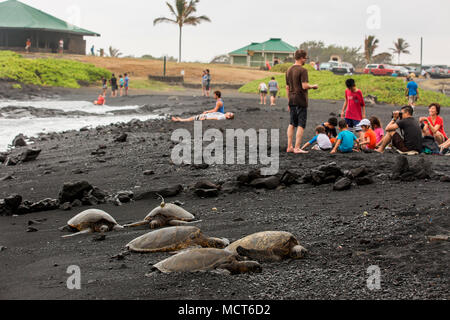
{"x": 194, "y": 260}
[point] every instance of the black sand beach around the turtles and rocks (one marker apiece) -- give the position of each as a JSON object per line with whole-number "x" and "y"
{"x": 387, "y": 223}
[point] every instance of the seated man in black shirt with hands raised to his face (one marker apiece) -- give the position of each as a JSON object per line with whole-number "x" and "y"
{"x": 410, "y": 142}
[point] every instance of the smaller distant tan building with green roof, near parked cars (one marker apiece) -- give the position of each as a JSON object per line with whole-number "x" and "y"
{"x": 257, "y": 54}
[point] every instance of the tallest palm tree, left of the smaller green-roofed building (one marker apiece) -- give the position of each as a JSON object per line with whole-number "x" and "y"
{"x": 184, "y": 15}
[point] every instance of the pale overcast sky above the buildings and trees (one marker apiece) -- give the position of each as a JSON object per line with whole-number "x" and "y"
{"x": 128, "y": 25}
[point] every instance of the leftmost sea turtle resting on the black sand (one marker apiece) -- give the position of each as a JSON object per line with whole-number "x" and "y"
{"x": 89, "y": 221}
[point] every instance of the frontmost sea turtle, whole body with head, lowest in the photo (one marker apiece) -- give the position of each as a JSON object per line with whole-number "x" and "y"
{"x": 207, "y": 259}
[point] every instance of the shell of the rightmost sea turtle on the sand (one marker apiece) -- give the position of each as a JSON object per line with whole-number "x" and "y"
{"x": 269, "y": 241}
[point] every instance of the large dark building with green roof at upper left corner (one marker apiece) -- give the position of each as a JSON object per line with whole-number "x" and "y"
{"x": 19, "y": 22}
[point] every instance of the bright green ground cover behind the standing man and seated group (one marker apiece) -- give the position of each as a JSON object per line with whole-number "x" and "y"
{"x": 332, "y": 87}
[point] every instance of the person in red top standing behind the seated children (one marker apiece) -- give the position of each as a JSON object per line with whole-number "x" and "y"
{"x": 354, "y": 109}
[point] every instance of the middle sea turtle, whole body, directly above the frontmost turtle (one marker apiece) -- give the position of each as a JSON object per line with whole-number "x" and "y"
{"x": 174, "y": 239}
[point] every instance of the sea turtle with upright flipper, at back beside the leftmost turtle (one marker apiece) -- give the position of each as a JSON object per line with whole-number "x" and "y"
{"x": 164, "y": 215}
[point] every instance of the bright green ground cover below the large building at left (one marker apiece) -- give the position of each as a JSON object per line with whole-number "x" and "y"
{"x": 49, "y": 72}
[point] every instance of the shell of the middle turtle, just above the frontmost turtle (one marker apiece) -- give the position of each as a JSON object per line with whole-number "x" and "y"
{"x": 165, "y": 240}
